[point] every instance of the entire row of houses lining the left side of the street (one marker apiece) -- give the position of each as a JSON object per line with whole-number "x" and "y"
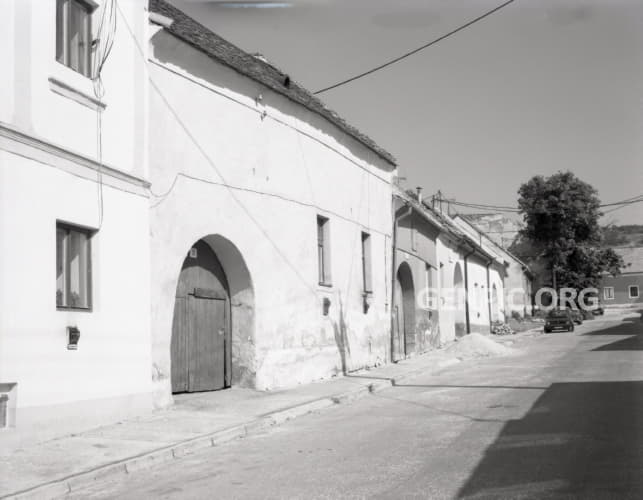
{"x": 177, "y": 215}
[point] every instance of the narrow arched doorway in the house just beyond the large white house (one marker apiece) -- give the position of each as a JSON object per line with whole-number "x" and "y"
{"x": 404, "y": 310}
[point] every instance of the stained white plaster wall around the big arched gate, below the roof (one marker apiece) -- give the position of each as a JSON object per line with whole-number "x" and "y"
{"x": 281, "y": 170}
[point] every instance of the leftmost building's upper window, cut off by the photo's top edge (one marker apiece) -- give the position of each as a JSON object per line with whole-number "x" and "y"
{"x": 74, "y": 34}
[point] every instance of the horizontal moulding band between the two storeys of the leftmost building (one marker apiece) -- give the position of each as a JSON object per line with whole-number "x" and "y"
{"x": 32, "y": 147}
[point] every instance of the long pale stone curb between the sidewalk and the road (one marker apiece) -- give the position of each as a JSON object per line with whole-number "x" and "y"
{"x": 59, "y": 488}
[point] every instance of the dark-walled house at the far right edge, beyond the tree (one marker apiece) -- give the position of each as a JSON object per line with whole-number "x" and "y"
{"x": 626, "y": 289}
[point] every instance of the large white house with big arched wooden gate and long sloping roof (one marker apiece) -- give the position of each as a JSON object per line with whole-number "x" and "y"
{"x": 270, "y": 219}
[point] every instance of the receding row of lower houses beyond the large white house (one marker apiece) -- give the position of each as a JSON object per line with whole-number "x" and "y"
{"x": 448, "y": 279}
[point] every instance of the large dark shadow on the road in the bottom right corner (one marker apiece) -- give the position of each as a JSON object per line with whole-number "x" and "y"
{"x": 579, "y": 440}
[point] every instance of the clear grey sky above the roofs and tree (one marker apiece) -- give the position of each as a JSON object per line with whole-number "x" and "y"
{"x": 538, "y": 87}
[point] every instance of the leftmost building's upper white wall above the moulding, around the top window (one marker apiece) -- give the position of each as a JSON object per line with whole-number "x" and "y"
{"x": 28, "y": 59}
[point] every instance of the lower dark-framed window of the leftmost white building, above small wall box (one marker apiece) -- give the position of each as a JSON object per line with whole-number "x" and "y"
{"x": 73, "y": 267}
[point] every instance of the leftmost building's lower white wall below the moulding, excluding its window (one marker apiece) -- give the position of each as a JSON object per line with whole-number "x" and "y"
{"x": 113, "y": 357}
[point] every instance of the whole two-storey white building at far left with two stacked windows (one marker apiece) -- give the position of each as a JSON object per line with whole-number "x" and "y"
{"x": 74, "y": 209}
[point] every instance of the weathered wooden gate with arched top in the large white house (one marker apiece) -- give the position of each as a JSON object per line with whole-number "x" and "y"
{"x": 201, "y": 348}
